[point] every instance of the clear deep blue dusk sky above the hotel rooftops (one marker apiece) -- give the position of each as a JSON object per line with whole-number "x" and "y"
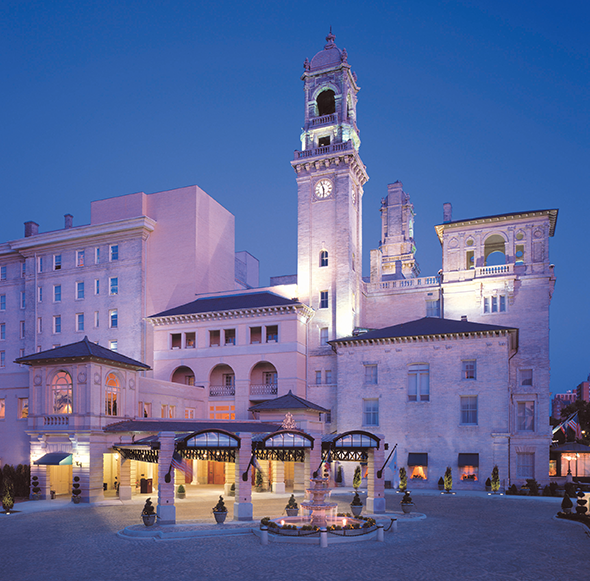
{"x": 481, "y": 104}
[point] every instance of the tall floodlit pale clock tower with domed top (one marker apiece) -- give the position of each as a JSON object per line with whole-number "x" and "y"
{"x": 330, "y": 179}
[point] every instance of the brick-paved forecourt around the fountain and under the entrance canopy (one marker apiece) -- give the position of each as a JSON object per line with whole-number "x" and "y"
{"x": 465, "y": 536}
